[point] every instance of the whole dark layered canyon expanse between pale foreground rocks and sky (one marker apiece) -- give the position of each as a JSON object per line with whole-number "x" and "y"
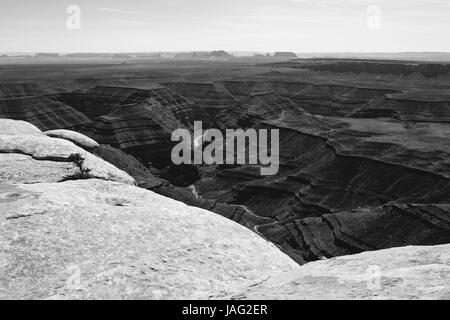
{"x": 364, "y": 150}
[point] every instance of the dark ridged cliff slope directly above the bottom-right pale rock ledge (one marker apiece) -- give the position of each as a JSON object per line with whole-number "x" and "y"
{"x": 363, "y": 229}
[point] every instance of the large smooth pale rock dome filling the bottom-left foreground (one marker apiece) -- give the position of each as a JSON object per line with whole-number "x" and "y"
{"x": 96, "y": 239}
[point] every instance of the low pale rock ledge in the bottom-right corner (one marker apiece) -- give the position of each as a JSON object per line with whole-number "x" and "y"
{"x": 415, "y": 272}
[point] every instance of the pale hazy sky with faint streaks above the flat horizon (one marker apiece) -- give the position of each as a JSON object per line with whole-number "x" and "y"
{"x": 256, "y": 25}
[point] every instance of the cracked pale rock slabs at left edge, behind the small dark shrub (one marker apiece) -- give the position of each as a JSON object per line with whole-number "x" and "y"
{"x": 35, "y": 157}
